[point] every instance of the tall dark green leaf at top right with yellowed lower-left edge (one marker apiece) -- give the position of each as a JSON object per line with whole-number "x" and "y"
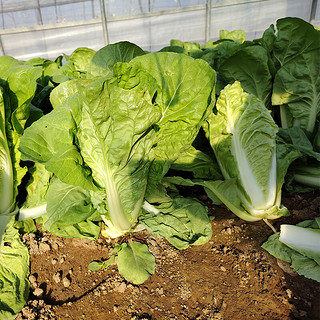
{"x": 297, "y": 82}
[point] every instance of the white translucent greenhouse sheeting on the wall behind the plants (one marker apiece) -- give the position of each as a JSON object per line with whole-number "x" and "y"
{"x": 49, "y": 28}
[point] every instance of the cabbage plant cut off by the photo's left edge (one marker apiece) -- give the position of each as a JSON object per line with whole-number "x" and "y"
{"x": 18, "y": 85}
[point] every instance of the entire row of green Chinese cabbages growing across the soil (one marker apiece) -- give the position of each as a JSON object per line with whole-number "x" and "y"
{"x": 99, "y": 143}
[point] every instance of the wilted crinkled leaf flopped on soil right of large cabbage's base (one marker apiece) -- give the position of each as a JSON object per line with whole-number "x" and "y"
{"x": 183, "y": 222}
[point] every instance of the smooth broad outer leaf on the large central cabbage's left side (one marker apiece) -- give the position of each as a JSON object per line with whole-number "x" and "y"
{"x": 50, "y": 141}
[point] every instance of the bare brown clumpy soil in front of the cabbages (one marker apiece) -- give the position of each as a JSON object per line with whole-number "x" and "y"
{"x": 231, "y": 277}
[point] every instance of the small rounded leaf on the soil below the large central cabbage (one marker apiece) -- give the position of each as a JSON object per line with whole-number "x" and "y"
{"x": 135, "y": 262}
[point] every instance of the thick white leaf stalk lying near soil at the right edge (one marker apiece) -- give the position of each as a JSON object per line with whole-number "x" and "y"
{"x": 299, "y": 237}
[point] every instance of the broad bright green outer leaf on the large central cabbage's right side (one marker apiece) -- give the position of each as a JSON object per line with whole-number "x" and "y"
{"x": 185, "y": 96}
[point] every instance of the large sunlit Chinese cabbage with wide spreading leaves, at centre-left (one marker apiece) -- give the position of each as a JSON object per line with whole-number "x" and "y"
{"x": 113, "y": 138}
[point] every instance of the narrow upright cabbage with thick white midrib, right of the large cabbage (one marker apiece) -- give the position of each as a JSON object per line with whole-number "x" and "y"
{"x": 242, "y": 134}
